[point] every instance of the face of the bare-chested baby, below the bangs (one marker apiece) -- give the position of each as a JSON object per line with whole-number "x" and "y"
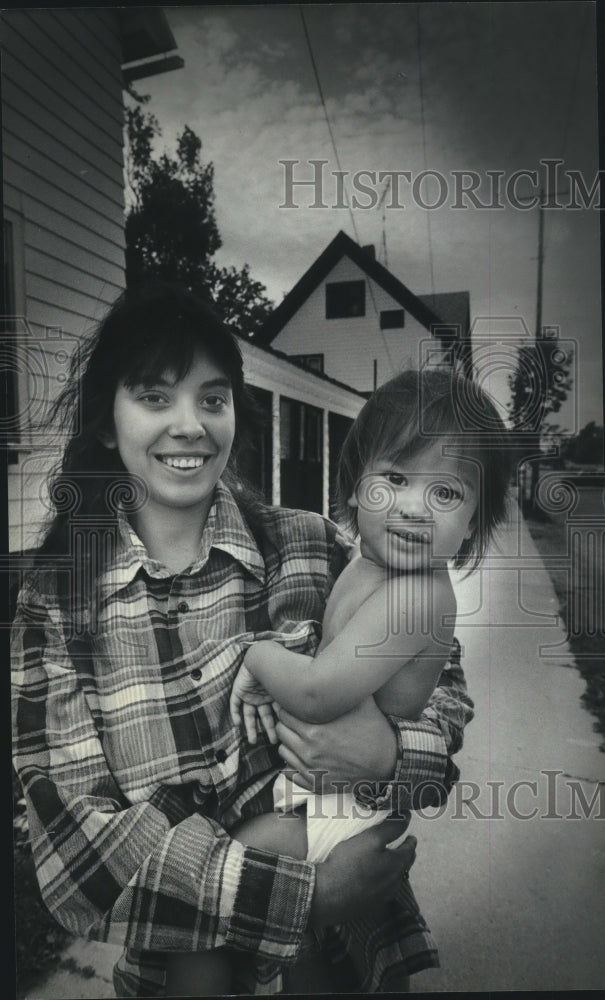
{"x": 414, "y": 514}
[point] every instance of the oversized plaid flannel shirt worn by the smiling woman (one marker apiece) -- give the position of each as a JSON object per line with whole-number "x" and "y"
{"x": 132, "y": 770}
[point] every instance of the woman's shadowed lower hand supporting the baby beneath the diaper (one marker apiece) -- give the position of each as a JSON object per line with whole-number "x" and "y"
{"x": 361, "y": 874}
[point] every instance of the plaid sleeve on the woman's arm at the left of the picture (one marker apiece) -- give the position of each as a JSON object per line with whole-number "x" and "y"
{"x": 146, "y": 875}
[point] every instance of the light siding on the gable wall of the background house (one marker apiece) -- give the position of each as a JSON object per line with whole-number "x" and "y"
{"x": 351, "y": 345}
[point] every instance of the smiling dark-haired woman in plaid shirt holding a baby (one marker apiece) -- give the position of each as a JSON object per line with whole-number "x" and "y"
{"x": 132, "y": 770}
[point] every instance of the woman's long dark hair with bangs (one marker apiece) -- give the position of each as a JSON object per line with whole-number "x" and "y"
{"x": 149, "y": 330}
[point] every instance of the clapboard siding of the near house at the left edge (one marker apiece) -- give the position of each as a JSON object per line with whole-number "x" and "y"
{"x": 64, "y": 195}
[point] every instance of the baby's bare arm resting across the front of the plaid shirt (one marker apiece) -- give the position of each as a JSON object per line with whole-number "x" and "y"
{"x": 376, "y": 643}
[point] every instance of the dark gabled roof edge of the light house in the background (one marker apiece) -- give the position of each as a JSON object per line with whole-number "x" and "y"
{"x": 341, "y": 246}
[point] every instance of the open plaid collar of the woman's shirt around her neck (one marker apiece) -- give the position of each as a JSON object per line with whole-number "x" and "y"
{"x": 225, "y": 529}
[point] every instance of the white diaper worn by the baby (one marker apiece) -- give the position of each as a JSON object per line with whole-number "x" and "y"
{"x": 330, "y": 818}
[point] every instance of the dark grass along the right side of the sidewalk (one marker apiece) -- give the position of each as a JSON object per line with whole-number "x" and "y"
{"x": 586, "y": 641}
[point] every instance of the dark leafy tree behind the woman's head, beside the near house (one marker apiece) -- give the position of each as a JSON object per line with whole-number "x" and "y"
{"x": 171, "y": 230}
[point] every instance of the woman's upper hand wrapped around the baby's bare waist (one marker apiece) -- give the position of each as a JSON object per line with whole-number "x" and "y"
{"x": 358, "y": 746}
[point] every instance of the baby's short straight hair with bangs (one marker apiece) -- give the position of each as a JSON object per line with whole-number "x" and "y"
{"x": 412, "y": 412}
